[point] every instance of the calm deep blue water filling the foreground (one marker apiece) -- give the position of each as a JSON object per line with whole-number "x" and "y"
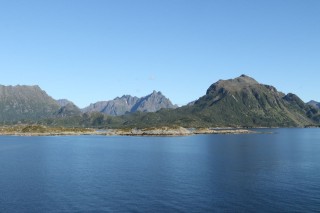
{"x": 205, "y": 173}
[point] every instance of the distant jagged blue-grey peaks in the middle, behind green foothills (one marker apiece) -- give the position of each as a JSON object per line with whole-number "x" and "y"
{"x": 128, "y": 104}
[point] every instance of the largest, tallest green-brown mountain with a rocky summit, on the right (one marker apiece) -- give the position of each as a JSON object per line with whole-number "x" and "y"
{"x": 245, "y": 102}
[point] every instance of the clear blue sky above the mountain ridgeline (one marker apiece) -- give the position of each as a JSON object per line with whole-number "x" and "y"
{"x": 91, "y": 50}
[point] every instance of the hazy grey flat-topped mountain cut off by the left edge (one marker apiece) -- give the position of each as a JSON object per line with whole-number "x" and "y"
{"x": 25, "y": 103}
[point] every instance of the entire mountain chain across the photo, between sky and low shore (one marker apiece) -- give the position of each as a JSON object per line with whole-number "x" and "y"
{"x": 239, "y": 102}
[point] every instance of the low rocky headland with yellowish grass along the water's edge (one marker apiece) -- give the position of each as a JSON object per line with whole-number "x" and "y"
{"x": 41, "y": 130}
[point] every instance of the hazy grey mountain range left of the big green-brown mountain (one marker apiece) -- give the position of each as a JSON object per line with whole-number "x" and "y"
{"x": 31, "y": 103}
